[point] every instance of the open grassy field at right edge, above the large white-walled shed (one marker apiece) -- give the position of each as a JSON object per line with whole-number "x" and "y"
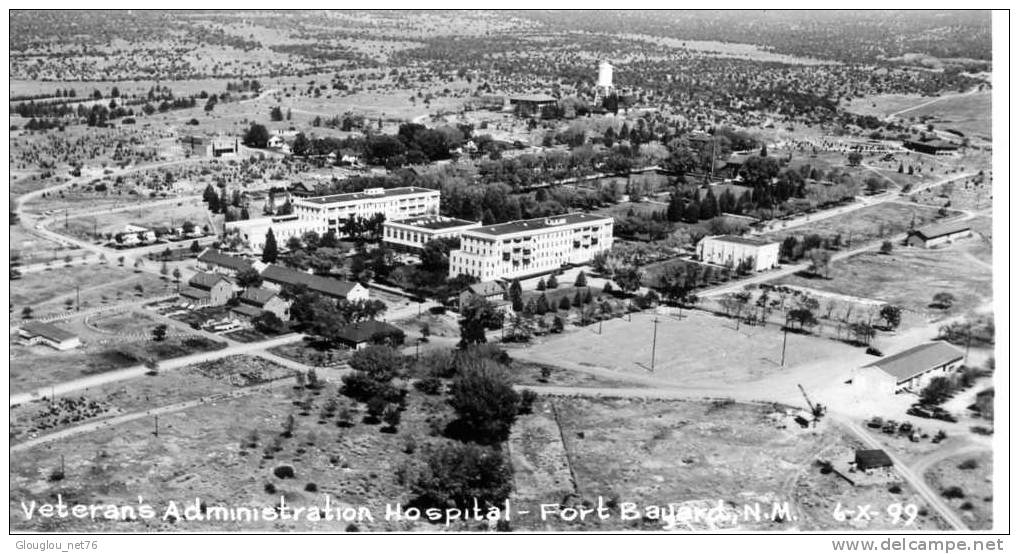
{"x": 908, "y": 278}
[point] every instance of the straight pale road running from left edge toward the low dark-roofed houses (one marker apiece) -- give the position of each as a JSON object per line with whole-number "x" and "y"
{"x": 135, "y": 372}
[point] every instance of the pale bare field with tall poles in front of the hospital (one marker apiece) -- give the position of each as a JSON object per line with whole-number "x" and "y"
{"x": 701, "y": 349}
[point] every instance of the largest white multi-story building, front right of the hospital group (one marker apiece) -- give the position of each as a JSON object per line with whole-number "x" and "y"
{"x": 530, "y": 247}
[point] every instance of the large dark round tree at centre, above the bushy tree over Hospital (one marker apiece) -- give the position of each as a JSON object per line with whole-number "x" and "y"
{"x": 486, "y": 402}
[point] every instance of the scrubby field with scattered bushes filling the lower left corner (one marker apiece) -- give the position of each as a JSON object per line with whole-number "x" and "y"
{"x": 226, "y": 453}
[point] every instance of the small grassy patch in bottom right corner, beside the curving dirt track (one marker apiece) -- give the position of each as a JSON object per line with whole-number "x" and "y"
{"x": 973, "y": 474}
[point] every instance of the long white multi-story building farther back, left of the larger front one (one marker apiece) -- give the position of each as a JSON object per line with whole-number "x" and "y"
{"x": 401, "y": 203}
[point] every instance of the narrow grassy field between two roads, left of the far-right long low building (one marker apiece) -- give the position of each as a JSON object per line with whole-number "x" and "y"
{"x": 869, "y": 224}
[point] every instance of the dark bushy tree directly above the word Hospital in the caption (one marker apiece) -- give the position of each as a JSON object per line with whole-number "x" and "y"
{"x": 460, "y": 475}
